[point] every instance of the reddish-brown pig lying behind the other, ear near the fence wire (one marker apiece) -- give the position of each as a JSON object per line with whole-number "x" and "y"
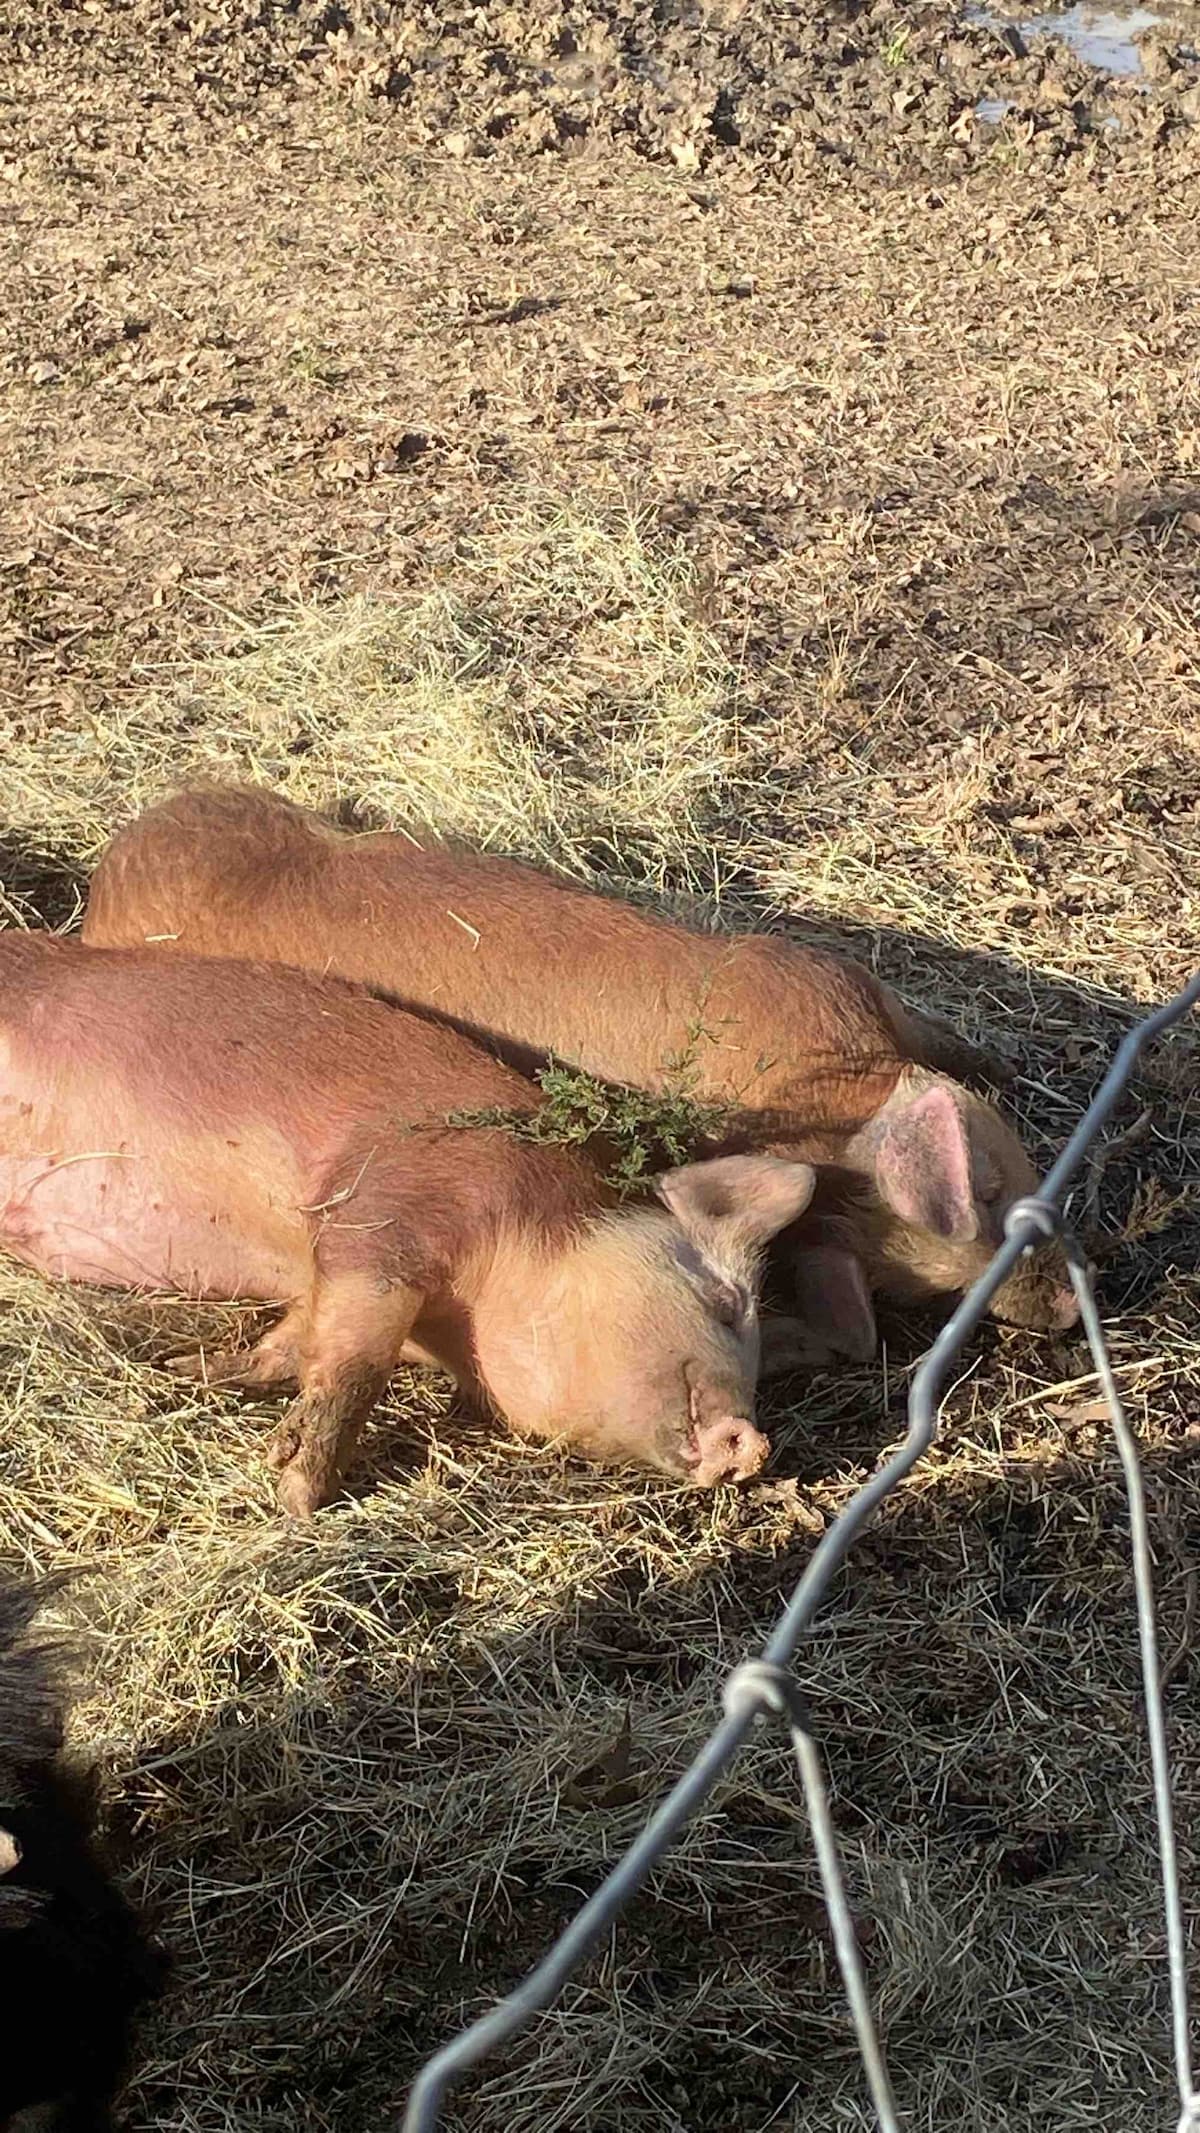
{"x": 815, "y": 1055}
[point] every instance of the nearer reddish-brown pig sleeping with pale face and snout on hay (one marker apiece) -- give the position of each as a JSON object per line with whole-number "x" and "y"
{"x": 233, "y": 1129}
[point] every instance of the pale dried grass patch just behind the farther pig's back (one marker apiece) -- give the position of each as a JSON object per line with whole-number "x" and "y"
{"x": 619, "y": 735}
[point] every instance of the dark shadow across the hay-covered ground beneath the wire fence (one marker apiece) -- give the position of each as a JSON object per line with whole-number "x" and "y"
{"x": 346, "y": 1867}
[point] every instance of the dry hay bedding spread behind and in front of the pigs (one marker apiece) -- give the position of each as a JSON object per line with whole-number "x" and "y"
{"x": 363, "y": 1774}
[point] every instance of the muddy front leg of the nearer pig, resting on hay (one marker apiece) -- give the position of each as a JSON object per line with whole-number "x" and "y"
{"x": 351, "y": 1349}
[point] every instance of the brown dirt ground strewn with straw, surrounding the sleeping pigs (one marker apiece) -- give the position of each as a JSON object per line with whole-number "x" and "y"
{"x": 698, "y": 449}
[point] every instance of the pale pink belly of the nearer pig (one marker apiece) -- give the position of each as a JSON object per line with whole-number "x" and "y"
{"x": 123, "y": 1223}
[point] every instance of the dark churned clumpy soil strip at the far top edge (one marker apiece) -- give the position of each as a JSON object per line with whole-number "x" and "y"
{"x": 854, "y": 84}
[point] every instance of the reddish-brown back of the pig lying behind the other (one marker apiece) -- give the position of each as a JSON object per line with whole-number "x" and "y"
{"x": 508, "y": 955}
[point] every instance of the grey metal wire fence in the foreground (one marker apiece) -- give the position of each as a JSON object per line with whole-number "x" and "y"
{"x": 766, "y": 1688}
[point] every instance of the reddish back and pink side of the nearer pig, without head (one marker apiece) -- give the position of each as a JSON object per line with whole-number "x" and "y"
{"x": 201, "y": 1125}
